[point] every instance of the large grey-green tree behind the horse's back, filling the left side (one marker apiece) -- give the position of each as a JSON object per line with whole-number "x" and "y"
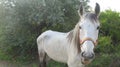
{"x": 26, "y": 19}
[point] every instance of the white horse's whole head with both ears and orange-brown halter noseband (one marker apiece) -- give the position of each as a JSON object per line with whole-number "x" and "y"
{"x": 88, "y": 33}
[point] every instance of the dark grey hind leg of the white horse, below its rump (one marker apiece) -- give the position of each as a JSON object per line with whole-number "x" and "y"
{"x": 42, "y": 58}
